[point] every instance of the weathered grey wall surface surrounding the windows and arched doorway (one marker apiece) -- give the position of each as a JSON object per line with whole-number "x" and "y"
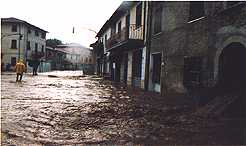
{"x": 204, "y": 38}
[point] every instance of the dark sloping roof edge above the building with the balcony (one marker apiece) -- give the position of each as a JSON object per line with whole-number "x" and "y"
{"x": 121, "y": 10}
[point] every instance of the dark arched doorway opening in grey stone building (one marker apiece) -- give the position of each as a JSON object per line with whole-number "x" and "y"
{"x": 232, "y": 67}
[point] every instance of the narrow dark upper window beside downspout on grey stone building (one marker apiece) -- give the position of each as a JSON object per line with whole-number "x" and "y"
{"x": 157, "y": 17}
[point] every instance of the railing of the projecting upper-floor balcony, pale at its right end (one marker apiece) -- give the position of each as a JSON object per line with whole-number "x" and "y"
{"x": 130, "y": 33}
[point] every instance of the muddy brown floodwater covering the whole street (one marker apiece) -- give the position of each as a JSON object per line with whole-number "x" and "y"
{"x": 67, "y": 108}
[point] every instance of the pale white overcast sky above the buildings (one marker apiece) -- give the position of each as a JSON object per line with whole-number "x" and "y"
{"x": 59, "y": 17}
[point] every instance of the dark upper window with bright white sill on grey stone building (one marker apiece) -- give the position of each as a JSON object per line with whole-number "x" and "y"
{"x": 196, "y": 10}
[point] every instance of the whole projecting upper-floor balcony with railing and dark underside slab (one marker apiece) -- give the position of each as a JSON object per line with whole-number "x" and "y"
{"x": 126, "y": 38}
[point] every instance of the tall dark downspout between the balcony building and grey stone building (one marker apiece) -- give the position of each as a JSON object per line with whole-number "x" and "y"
{"x": 148, "y": 44}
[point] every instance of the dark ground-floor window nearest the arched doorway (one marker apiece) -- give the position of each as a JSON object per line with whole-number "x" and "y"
{"x": 192, "y": 71}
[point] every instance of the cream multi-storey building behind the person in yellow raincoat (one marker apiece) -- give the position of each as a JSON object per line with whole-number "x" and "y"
{"x": 21, "y": 40}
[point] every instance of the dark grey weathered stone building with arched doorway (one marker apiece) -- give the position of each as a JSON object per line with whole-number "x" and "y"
{"x": 196, "y": 45}
